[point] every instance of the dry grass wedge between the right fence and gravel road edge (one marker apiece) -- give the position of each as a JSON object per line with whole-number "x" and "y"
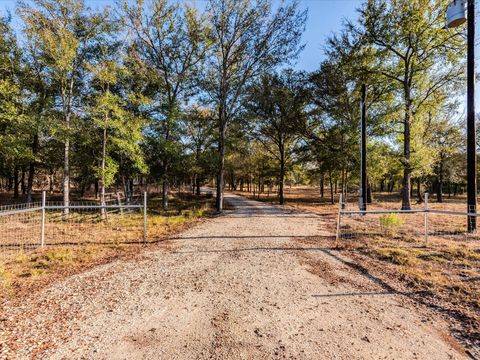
{"x": 444, "y": 275}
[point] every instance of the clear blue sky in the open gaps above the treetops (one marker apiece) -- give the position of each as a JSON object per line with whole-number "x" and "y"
{"x": 324, "y": 18}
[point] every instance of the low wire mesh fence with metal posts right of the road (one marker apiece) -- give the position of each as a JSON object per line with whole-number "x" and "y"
{"x": 422, "y": 224}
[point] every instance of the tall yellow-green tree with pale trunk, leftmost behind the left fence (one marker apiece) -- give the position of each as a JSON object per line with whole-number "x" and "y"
{"x": 63, "y": 32}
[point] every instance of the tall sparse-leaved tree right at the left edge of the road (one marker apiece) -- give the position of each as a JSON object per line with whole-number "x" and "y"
{"x": 251, "y": 39}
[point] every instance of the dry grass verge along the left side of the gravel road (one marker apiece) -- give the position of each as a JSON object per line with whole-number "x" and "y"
{"x": 98, "y": 243}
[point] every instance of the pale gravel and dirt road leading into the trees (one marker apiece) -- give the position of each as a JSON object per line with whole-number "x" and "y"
{"x": 240, "y": 286}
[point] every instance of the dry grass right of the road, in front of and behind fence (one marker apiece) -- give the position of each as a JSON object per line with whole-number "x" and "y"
{"x": 445, "y": 272}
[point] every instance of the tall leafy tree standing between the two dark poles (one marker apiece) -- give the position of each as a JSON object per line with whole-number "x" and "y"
{"x": 407, "y": 43}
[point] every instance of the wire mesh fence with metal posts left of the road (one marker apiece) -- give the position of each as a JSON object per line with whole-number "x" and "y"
{"x": 30, "y": 226}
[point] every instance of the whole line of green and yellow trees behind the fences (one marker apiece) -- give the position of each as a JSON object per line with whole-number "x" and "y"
{"x": 158, "y": 92}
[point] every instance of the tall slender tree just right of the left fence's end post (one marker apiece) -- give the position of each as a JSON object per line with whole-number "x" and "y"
{"x": 171, "y": 41}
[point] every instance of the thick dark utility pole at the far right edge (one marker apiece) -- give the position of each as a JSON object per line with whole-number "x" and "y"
{"x": 471, "y": 141}
